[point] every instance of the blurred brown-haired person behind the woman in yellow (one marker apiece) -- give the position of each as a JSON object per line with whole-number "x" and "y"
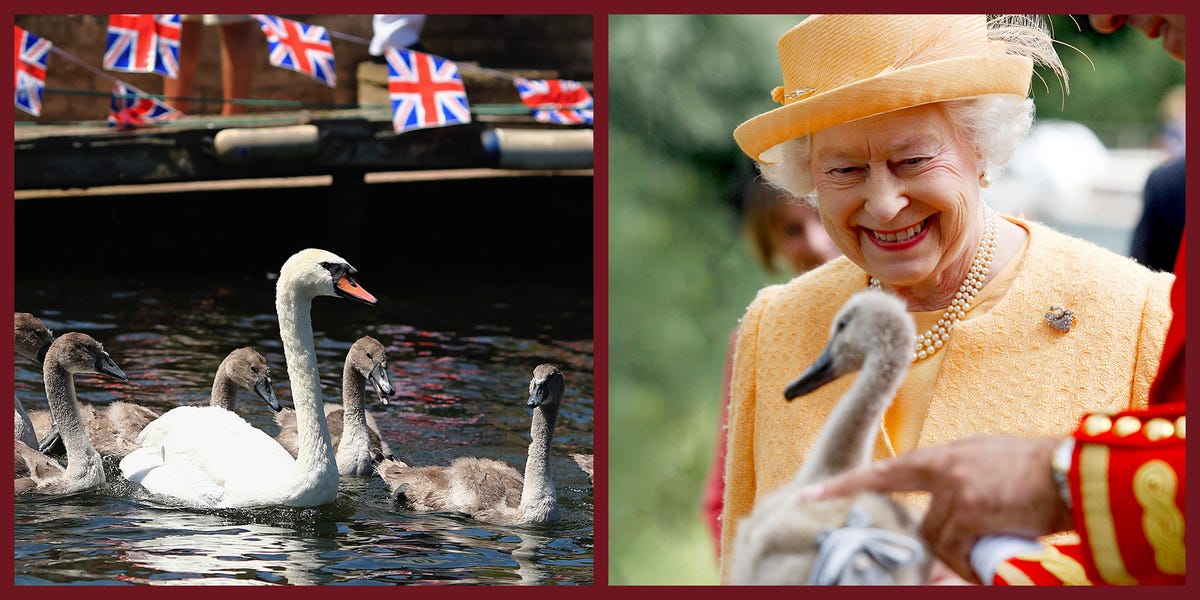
{"x": 785, "y": 236}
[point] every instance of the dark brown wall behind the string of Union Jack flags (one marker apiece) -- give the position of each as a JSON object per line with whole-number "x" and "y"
{"x": 561, "y": 46}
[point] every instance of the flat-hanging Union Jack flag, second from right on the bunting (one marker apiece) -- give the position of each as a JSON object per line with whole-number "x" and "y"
{"x": 427, "y": 92}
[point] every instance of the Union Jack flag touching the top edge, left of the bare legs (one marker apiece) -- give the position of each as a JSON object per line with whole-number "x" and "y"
{"x": 143, "y": 44}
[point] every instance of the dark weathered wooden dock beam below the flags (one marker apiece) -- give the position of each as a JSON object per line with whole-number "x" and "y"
{"x": 351, "y": 145}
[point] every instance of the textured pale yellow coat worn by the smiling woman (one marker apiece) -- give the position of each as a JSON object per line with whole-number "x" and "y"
{"x": 1006, "y": 371}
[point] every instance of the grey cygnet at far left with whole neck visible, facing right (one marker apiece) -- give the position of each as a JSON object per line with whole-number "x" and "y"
{"x": 70, "y": 355}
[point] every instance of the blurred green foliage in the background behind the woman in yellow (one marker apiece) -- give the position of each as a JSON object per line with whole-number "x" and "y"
{"x": 680, "y": 273}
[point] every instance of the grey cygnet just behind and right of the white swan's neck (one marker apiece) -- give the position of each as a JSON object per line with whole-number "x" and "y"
{"x": 352, "y": 430}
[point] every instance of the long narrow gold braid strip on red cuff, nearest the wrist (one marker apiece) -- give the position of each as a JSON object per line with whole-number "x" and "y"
{"x": 1094, "y": 488}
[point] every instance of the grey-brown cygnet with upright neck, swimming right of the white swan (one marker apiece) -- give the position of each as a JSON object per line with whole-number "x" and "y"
{"x": 484, "y": 489}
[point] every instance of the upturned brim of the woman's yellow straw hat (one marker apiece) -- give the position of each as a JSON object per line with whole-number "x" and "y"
{"x": 921, "y": 85}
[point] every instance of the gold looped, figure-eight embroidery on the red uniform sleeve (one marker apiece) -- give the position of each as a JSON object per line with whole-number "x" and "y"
{"x": 1155, "y": 485}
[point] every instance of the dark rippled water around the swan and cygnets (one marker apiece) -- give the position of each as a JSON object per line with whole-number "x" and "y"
{"x": 461, "y": 362}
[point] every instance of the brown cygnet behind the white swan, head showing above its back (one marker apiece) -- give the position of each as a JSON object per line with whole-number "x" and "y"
{"x": 115, "y": 429}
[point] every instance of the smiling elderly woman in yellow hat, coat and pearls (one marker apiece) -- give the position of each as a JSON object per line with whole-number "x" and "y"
{"x": 891, "y": 125}
